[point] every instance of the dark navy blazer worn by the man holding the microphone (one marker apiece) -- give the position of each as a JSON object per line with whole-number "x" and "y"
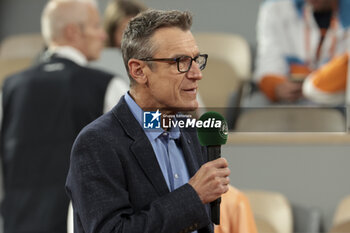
{"x": 116, "y": 184}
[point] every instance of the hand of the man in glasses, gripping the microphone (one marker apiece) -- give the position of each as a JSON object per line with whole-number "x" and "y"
{"x": 211, "y": 180}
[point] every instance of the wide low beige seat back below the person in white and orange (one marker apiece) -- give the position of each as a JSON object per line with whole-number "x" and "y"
{"x": 298, "y": 119}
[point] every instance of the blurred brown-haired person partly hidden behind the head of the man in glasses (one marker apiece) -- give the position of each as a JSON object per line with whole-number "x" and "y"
{"x": 117, "y": 15}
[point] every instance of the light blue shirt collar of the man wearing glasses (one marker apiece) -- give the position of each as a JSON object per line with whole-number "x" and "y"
{"x": 152, "y": 134}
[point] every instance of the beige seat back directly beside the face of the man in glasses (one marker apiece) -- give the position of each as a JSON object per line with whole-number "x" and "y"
{"x": 228, "y": 67}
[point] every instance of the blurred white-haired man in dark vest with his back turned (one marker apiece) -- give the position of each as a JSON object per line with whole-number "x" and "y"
{"x": 44, "y": 108}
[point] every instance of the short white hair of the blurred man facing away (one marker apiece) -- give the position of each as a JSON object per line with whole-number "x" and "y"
{"x": 59, "y": 13}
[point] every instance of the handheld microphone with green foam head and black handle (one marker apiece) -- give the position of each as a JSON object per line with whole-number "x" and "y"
{"x": 213, "y": 137}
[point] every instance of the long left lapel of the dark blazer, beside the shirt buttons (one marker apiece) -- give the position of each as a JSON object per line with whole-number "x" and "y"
{"x": 141, "y": 148}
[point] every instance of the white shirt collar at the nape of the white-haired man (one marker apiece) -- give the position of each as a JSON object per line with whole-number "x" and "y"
{"x": 70, "y": 53}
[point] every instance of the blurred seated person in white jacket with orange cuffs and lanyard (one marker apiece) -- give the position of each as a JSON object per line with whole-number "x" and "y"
{"x": 295, "y": 37}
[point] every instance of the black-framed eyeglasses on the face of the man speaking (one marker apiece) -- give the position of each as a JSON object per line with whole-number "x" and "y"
{"x": 184, "y": 63}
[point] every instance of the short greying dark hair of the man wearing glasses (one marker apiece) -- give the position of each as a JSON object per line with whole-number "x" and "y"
{"x": 136, "y": 42}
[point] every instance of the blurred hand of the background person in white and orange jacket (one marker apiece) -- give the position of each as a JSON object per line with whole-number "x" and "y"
{"x": 288, "y": 91}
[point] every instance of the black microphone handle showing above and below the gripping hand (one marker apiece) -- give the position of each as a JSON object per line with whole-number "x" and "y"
{"x": 214, "y": 152}
